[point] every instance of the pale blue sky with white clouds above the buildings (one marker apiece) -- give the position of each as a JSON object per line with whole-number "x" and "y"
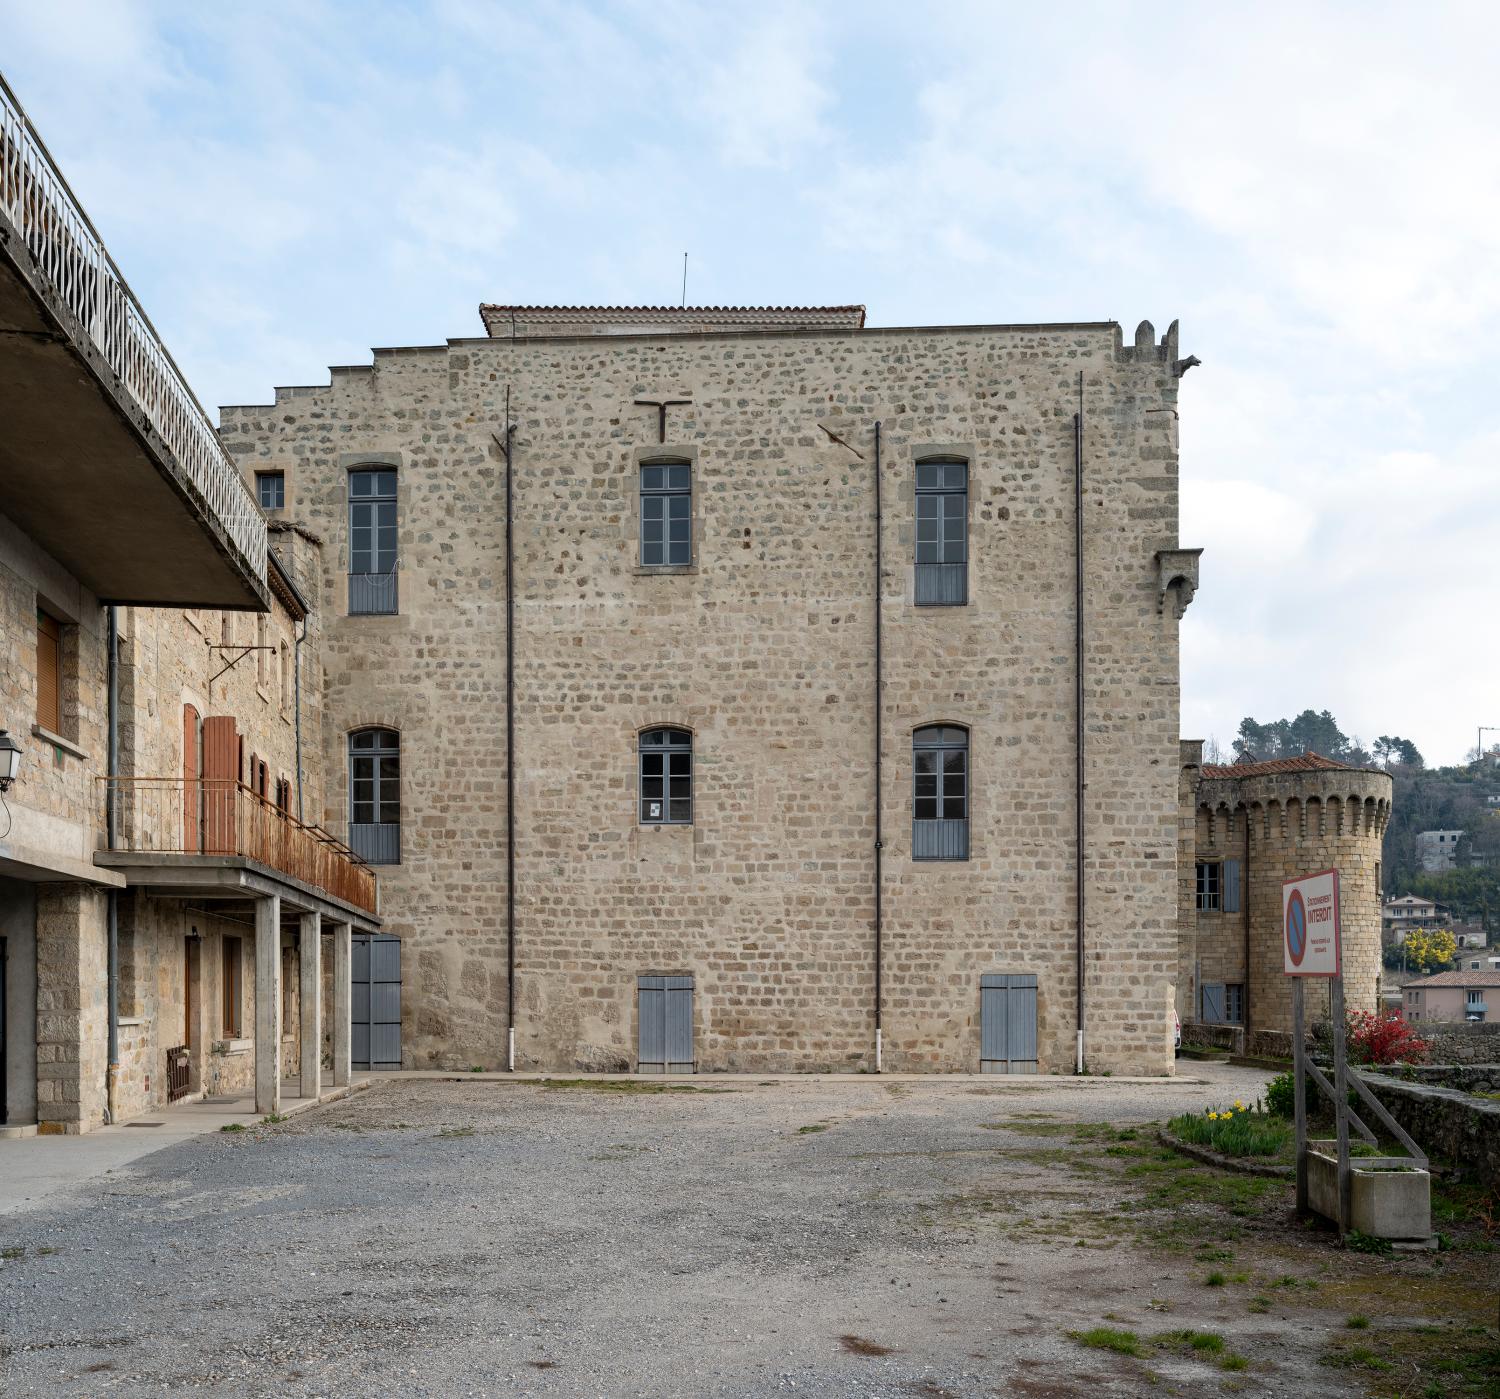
{"x": 1313, "y": 190}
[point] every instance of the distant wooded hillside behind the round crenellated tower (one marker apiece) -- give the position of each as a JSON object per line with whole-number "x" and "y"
{"x": 1423, "y": 800}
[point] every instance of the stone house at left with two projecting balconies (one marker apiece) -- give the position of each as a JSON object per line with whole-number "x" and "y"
{"x": 163, "y": 909}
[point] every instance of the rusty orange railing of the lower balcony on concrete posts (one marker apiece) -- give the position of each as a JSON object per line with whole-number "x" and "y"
{"x": 179, "y": 816}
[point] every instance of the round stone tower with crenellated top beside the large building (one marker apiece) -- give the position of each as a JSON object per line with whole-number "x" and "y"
{"x": 1253, "y": 827}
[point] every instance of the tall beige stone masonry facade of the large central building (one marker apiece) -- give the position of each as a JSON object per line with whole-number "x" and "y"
{"x": 763, "y": 649}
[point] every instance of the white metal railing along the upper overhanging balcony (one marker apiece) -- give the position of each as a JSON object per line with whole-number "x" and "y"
{"x": 73, "y": 257}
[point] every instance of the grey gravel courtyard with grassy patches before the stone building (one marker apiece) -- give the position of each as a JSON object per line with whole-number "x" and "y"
{"x": 922, "y": 1238}
